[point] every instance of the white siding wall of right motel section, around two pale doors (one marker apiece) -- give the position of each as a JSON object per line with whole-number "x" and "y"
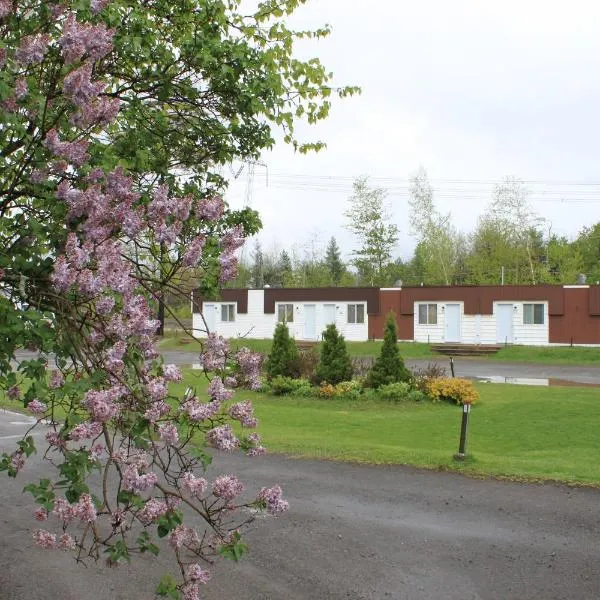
{"x": 481, "y": 329}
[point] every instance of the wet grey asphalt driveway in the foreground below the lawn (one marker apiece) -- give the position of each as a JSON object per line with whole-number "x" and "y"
{"x": 353, "y": 532}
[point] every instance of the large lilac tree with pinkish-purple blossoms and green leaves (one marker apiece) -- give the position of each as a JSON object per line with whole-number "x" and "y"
{"x": 113, "y": 117}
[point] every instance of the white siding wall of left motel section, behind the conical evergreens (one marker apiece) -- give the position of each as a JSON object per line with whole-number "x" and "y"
{"x": 256, "y": 324}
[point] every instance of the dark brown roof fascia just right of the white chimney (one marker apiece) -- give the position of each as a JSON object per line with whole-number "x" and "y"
{"x": 289, "y": 295}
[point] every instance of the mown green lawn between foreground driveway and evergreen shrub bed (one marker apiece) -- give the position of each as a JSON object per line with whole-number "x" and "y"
{"x": 516, "y": 431}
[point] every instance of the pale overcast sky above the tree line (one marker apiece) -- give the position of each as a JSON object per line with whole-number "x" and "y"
{"x": 471, "y": 90}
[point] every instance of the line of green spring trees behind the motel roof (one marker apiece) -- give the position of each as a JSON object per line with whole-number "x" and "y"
{"x": 510, "y": 244}
